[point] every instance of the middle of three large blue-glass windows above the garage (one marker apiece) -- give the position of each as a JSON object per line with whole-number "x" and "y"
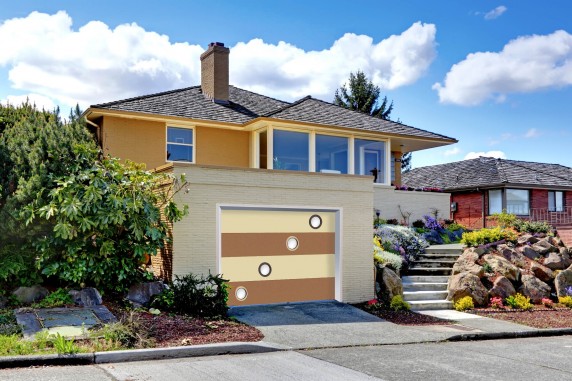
{"x": 331, "y": 154}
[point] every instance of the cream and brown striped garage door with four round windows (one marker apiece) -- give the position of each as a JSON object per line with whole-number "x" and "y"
{"x": 279, "y": 255}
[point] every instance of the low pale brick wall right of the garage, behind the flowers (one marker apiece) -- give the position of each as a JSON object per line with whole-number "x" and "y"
{"x": 387, "y": 200}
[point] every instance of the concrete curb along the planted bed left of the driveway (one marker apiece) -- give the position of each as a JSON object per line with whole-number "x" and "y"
{"x": 141, "y": 354}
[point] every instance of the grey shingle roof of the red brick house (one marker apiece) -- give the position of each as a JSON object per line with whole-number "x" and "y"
{"x": 487, "y": 172}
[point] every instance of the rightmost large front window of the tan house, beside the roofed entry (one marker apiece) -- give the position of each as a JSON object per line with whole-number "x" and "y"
{"x": 370, "y": 159}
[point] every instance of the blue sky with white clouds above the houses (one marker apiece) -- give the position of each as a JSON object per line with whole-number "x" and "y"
{"x": 495, "y": 75}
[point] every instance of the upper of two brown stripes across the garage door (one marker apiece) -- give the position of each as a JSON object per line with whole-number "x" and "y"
{"x": 268, "y": 244}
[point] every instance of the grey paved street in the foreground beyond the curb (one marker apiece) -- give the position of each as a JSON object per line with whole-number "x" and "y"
{"x": 535, "y": 359}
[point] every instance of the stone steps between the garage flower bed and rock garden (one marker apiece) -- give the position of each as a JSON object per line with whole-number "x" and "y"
{"x": 425, "y": 286}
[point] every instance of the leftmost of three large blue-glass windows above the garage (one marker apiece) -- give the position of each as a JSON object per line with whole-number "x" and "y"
{"x": 291, "y": 150}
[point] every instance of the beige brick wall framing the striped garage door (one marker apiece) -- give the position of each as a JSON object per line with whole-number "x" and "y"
{"x": 195, "y": 237}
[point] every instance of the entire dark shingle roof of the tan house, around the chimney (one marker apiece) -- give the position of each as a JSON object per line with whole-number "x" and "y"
{"x": 245, "y": 106}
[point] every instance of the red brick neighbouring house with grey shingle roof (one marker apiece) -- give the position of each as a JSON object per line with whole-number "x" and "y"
{"x": 484, "y": 186}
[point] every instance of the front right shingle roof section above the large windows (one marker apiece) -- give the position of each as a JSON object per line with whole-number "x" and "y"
{"x": 313, "y": 110}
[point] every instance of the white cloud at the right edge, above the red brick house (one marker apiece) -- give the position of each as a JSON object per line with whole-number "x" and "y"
{"x": 526, "y": 64}
